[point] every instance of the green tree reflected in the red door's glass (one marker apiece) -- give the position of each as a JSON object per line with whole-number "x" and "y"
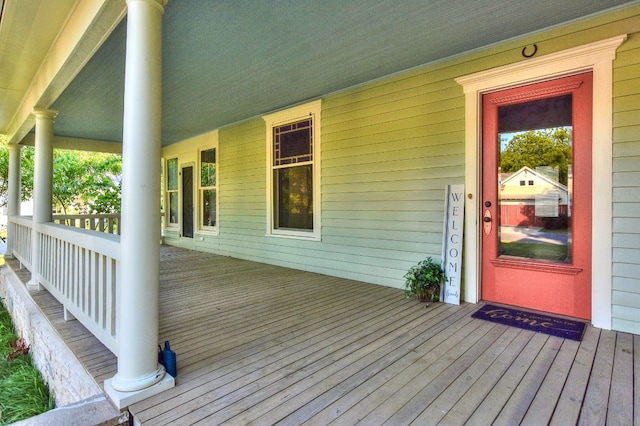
{"x": 535, "y": 148}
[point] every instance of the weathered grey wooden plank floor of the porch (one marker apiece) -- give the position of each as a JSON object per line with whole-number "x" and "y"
{"x": 260, "y": 344}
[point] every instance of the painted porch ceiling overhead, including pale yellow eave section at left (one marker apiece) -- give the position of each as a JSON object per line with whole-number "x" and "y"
{"x": 226, "y": 61}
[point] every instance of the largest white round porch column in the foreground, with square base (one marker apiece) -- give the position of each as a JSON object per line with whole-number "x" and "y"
{"x": 138, "y": 368}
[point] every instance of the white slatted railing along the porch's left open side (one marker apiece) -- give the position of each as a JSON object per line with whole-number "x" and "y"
{"x": 79, "y": 267}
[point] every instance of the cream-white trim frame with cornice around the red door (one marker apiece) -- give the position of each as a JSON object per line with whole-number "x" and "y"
{"x": 596, "y": 57}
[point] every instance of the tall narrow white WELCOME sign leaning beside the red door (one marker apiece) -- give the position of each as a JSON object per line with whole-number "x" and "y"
{"x": 452, "y": 242}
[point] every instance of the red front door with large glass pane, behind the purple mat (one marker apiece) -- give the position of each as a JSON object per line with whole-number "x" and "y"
{"x": 536, "y": 196}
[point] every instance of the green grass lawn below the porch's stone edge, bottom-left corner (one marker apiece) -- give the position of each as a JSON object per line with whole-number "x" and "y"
{"x": 23, "y": 392}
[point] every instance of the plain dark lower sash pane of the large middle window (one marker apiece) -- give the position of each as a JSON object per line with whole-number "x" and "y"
{"x": 294, "y": 197}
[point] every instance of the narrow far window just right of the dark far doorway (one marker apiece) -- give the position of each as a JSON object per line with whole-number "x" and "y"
{"x": 208, "y": 189}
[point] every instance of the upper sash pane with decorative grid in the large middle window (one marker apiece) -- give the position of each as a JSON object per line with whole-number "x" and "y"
{"x": 293, "y": 143}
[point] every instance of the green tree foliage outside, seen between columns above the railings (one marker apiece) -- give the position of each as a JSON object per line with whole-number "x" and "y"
{"x": 83, "y": 182}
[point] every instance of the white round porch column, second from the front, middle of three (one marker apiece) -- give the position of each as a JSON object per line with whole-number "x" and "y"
{"x": 42, "y": 183}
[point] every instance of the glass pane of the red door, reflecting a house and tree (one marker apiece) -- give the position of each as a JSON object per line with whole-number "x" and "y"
{"x": 535, "y": 179}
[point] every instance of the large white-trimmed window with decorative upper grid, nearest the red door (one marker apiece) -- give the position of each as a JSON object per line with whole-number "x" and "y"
{"x": 293, "y": 181}
